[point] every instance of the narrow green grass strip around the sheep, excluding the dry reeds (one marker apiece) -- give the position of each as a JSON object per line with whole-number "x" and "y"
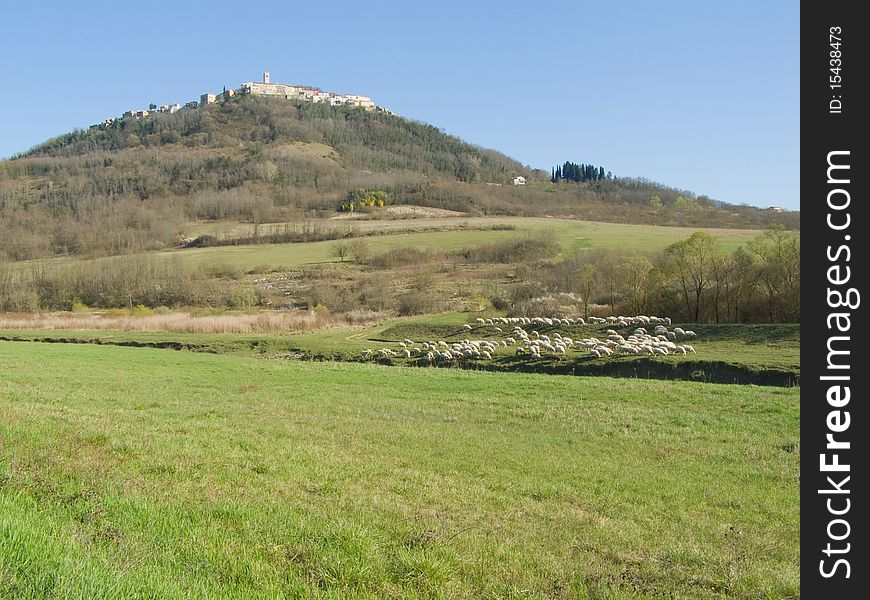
{"x": 761, "y": 353}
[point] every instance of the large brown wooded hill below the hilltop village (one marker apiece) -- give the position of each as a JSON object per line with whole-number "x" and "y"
{"x": 135, "y": 185}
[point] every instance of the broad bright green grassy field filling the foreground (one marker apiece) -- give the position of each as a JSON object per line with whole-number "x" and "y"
{"x": 157, "y": 474}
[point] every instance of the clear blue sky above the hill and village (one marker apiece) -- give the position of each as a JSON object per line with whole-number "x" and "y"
{"x": 701, "y": 96}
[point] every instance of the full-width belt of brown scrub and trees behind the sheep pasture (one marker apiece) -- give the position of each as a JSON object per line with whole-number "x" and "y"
{"x": 691, "y": 280}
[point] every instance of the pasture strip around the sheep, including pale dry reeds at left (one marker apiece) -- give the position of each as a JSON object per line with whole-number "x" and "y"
{"x": 730, "y": 353}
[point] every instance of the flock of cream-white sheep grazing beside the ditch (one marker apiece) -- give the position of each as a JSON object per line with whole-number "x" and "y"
{"x": 533, "y": 344}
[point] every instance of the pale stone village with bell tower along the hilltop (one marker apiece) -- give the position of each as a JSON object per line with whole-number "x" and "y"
{"x": 285, "y": 91}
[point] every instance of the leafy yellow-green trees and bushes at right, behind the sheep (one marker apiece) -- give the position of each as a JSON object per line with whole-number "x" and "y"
{"x": 692, "y": 280}
